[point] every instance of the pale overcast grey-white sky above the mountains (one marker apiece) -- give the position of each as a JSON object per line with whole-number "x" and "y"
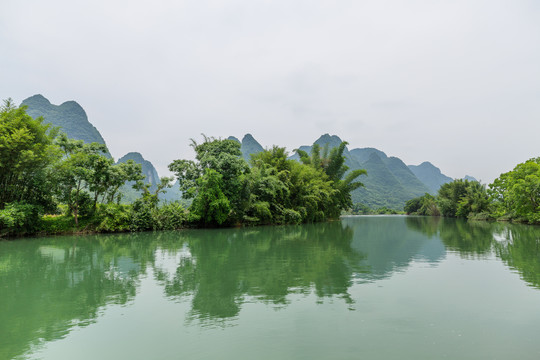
{"x": 456, "y": 83}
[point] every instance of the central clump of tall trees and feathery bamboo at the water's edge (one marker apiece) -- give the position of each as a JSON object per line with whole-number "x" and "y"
{"x": 274, "y": 190}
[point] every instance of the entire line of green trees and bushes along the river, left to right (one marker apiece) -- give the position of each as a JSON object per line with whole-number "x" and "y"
{"x": 50, "y": 184}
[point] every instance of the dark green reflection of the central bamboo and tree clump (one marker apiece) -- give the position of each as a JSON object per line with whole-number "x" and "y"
{"x": 267, "y": 263}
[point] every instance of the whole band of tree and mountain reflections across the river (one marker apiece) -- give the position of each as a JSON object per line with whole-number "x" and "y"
{"x": 50, "y": 285}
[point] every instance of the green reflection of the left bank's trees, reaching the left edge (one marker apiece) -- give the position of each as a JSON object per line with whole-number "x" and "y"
{"x": 51, "y": 285}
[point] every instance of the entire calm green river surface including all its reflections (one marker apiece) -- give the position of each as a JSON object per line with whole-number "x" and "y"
{"x": 363, "y": 287}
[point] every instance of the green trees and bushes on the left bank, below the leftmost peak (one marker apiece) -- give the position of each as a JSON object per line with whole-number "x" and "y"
{"x": 43, "y": 172}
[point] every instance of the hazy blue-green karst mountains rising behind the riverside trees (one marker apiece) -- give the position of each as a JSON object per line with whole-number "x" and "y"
{"x": 389, "y": 181}
